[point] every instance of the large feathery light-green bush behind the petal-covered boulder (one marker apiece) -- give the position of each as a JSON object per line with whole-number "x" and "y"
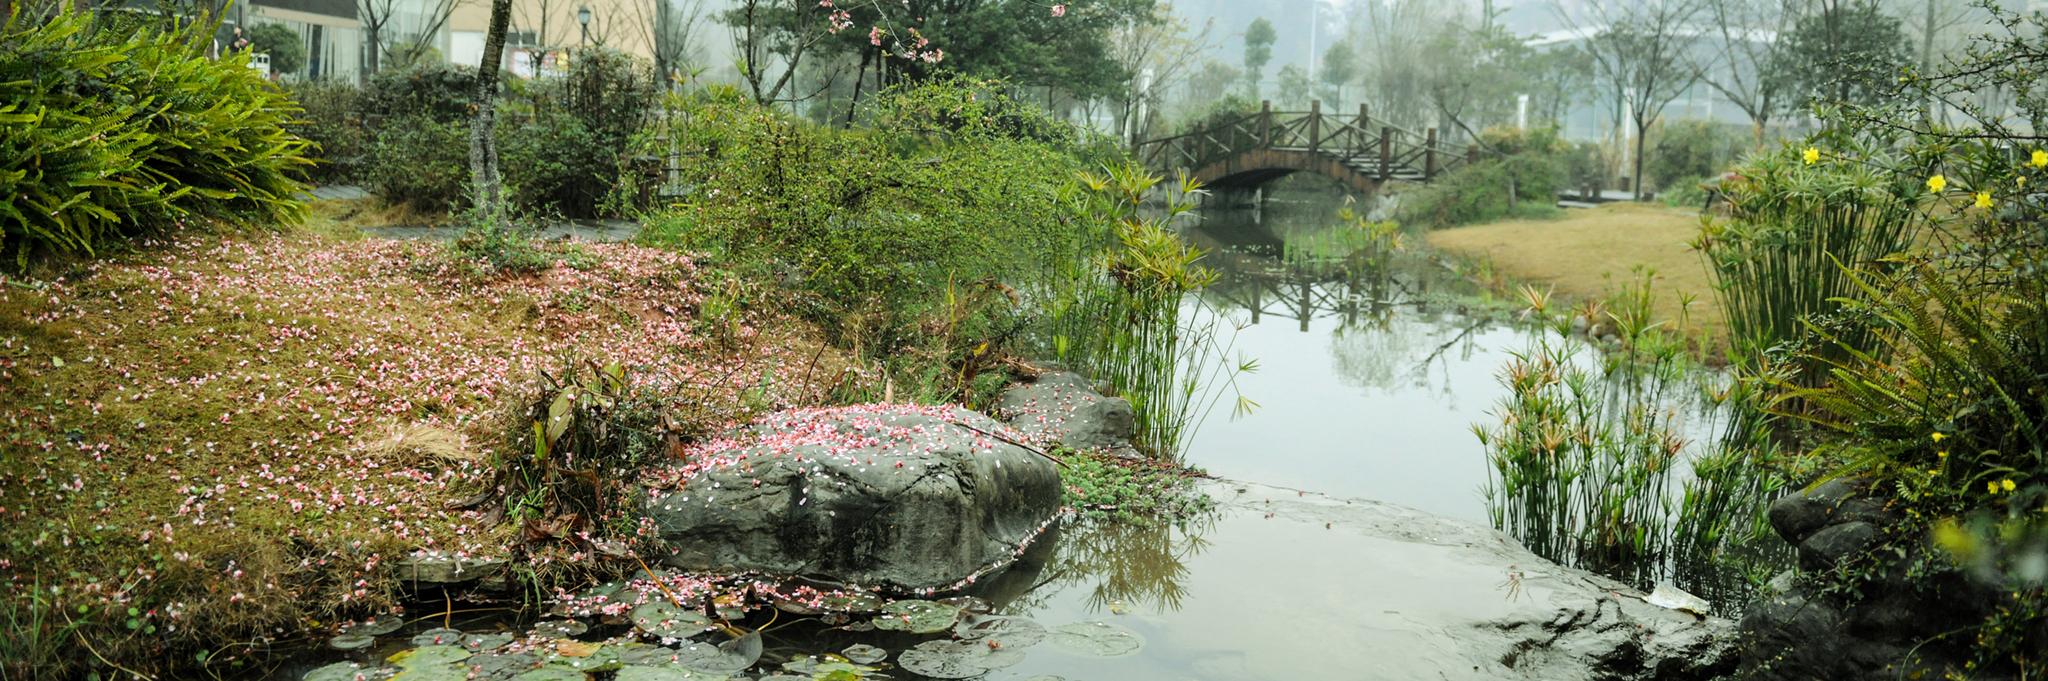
{"x": 876, "y": 238}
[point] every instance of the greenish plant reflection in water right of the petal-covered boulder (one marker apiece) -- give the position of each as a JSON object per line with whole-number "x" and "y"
{"x": 1138, "y": 563}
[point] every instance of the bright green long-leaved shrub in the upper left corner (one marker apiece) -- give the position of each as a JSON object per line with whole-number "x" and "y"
{"x": 108, "y": 136}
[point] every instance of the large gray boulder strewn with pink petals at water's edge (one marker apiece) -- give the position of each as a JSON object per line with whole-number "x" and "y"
{"x": 904, "y": 498}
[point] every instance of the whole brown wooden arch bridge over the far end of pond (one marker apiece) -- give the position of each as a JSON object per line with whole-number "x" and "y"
{"x": 1265, "y": 146}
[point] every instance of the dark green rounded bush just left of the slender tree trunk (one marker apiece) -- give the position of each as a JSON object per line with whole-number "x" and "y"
{"x": 419, "y": 163}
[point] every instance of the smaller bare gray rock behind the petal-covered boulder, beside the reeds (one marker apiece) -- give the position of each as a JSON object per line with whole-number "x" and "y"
{"x": 1062, "y": 408}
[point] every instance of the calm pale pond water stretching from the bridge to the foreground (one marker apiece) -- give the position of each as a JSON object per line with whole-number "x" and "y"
{"x": 1369, "y": 390}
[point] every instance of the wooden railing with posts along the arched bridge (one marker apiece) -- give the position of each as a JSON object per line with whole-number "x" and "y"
{"x": 1379, "y": 146}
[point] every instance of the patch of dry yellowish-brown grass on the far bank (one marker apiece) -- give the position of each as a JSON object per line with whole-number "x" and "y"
{"x": 1588, "y": 255}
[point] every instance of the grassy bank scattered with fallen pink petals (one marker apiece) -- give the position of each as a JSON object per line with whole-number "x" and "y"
{"x": 228, "y": 439}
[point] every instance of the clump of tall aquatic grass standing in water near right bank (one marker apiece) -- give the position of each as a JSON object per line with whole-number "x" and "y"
{"x": 1592, "y": 469}
